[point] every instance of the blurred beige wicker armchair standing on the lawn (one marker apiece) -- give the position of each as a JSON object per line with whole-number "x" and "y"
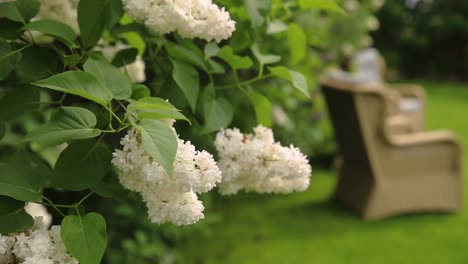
{"x": 390, "y": 166}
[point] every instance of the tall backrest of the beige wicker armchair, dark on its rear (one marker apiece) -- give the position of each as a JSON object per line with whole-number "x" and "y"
{"x": 357, "y": 115}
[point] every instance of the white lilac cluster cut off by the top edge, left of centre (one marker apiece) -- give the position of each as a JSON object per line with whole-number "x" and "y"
{"x": 190, "y": 18}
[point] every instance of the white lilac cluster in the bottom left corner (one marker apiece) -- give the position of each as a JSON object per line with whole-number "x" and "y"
{"x": 36, "y": 246}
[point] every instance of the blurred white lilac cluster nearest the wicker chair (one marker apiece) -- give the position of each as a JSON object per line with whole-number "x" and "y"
{"x": 255, "y": 162}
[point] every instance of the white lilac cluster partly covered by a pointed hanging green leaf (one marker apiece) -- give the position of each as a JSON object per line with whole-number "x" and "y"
{"x": 169, "y": 198}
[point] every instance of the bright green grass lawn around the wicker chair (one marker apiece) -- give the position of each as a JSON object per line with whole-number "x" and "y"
{"x": 309, "y": 228}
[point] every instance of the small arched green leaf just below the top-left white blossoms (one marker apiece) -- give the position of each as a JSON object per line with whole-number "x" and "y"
{"x": 55, "y": 29}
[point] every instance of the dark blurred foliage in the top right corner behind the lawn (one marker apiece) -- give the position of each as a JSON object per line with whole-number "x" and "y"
{"x": 424, "y": 38}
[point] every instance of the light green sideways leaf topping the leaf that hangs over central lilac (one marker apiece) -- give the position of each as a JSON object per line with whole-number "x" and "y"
{"x": 153, "y": 107}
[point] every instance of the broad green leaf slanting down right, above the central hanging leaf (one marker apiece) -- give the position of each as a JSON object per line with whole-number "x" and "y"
{"x": 115, "y": 80}
